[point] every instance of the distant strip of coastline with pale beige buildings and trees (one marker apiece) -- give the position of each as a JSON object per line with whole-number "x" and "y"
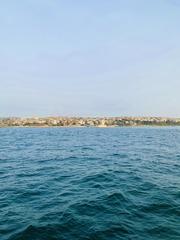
{"x": 88, "y": 121}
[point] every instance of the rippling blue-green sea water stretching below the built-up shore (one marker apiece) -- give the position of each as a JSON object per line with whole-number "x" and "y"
{"x": 89, "y": 183}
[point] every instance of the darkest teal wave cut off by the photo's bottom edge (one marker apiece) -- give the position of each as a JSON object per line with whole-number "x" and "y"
{"x": 71, "y": 230}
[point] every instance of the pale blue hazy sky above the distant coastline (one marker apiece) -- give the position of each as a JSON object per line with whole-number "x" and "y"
{"x": 90, "y": 58}
